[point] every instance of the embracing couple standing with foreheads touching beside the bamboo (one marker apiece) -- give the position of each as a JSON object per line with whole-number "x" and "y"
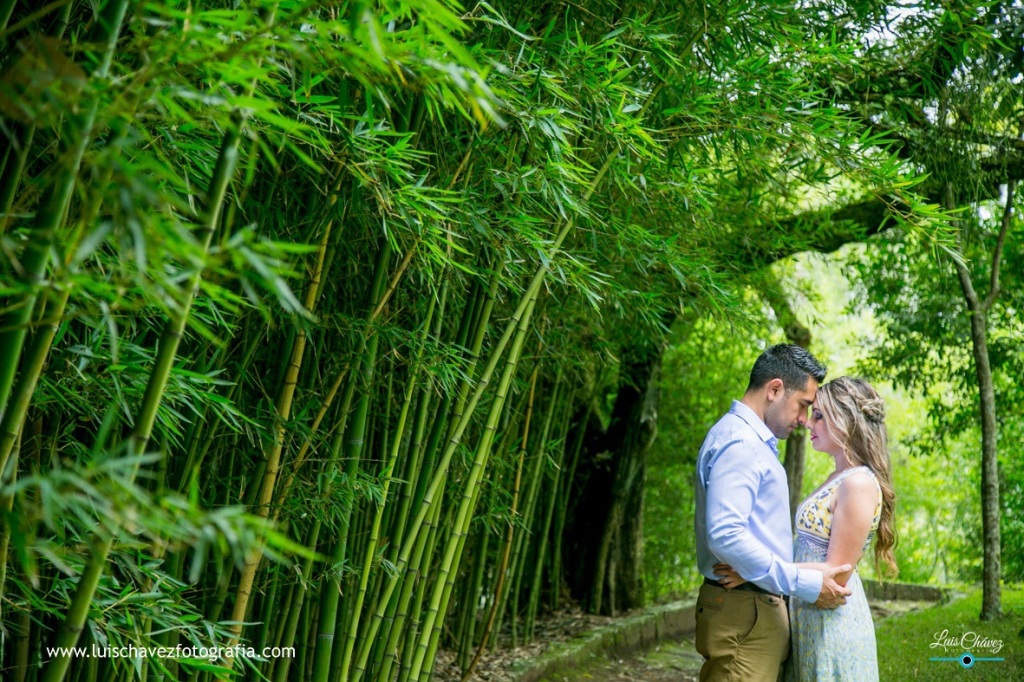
{"x": 745, "y": 536}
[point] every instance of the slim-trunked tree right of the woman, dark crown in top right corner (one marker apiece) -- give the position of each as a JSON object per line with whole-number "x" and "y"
{"x": 954, "y": 105}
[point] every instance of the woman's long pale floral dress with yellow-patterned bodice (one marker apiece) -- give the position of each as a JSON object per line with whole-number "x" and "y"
{"x": 831, "y": 645}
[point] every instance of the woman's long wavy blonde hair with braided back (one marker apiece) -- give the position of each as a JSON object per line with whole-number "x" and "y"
{"x": 857, "y": 420}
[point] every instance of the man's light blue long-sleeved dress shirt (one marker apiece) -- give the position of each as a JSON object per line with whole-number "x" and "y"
{"x": 743, "y": 507}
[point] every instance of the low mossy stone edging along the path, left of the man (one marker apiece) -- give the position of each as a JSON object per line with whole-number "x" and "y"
{"x": 626, "y": 636}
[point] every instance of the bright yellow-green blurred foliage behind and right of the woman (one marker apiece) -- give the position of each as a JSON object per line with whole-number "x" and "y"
{"x": 937, "y": 514}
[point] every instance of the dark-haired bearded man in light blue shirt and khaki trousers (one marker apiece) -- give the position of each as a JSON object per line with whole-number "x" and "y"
{"x": 743, "y": 519}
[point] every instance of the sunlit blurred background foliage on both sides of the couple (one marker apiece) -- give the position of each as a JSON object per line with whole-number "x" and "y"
{"x": 936, "y": 479}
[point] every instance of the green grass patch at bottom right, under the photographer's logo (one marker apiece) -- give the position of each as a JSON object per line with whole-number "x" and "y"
{"x": 906, "y": 643}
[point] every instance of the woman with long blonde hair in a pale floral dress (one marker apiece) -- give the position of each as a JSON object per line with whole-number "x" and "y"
{"x": 836, "y": 526}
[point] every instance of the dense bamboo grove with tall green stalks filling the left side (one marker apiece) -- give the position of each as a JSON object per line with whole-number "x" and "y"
{"x": 307, "y": 307}
